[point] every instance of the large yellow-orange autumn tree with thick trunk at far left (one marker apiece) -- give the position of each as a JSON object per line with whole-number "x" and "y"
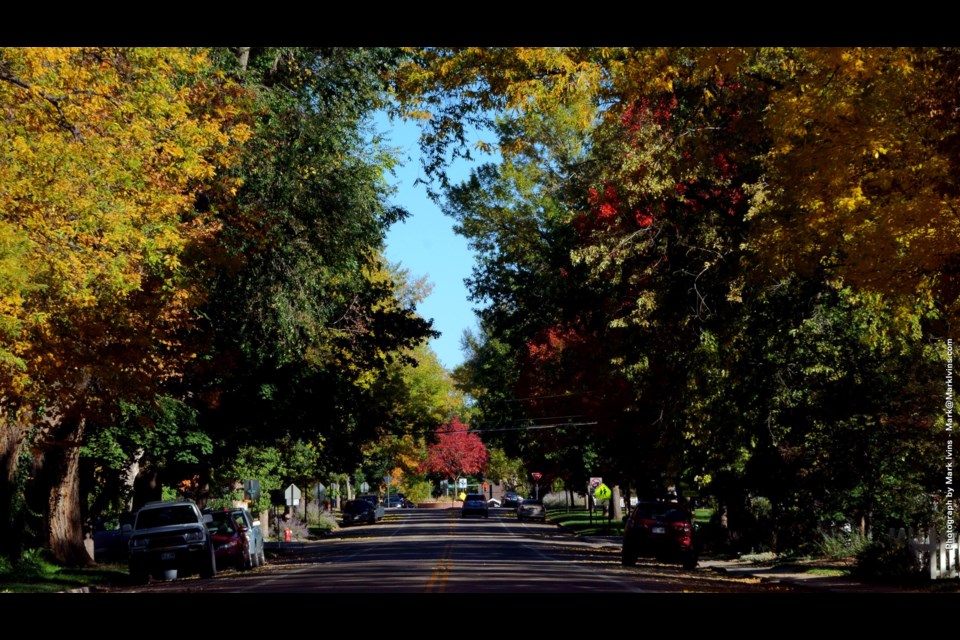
{"x": 104, "y": 154}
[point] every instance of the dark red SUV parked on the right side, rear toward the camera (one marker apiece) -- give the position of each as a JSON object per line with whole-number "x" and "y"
{"x": 659, "y": 528}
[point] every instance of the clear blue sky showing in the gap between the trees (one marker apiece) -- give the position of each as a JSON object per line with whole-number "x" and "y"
{"x": 426, "y": 245}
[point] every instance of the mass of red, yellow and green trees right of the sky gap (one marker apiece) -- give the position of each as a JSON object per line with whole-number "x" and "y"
{"x": 698, "y": 251}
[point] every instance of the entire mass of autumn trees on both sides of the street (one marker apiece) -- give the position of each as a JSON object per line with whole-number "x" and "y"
{"x": 725, "y": 270}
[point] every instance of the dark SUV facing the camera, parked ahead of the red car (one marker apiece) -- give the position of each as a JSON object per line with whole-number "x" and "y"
{"x": 169, "y": 537}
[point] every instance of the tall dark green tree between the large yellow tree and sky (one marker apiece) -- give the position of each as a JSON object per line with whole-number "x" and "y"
{"x": 305, "y": 321}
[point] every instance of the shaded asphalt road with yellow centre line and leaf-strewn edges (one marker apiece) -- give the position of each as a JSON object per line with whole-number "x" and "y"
{"x": 434, "y": 551}
